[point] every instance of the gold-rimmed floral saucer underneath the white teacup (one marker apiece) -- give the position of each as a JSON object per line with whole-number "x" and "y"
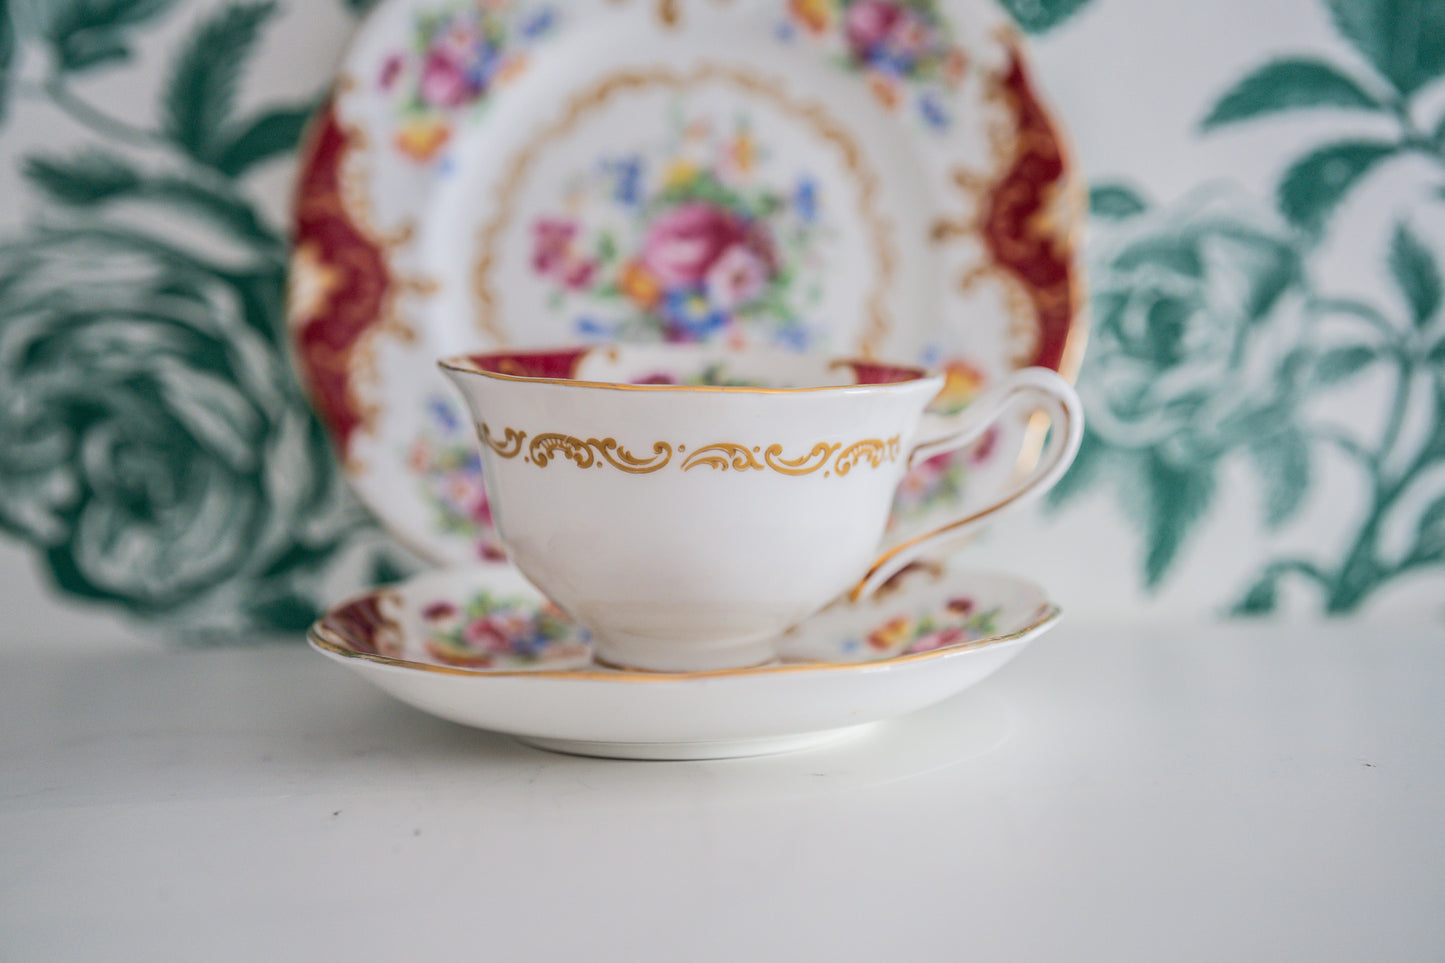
{"x": 479, "y": 646}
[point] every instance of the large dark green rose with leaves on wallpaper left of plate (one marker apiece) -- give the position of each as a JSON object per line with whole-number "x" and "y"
{"x": 155, "y": 448}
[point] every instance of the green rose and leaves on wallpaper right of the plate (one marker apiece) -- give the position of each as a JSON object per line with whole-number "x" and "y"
{"x": 1217, "y": 336}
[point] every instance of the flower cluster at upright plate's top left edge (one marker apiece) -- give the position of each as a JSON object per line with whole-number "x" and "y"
{"x": 456, "y": 59}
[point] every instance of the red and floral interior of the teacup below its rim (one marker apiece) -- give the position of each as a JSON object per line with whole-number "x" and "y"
{"x": 684, "y": 367}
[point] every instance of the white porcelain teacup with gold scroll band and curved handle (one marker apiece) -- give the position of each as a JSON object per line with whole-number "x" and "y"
{"x": 689, "y": 504}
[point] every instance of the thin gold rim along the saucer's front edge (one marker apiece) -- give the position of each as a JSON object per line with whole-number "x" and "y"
{"x": 320, "y": 637}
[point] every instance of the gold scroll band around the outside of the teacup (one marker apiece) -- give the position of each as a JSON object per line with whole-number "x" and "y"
{"x": 830, "y": 458}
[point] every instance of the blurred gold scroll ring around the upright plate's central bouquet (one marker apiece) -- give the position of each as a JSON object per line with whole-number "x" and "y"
{"x": 771, "y": 90}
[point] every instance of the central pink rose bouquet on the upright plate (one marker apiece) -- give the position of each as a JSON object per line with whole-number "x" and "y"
{"x": 687, "y": 244}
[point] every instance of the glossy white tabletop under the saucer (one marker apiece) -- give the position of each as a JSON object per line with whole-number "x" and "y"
{"x": 1243, "y": 793}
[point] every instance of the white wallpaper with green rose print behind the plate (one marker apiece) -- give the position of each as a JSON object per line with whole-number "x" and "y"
{"x": 1265, "y": 374}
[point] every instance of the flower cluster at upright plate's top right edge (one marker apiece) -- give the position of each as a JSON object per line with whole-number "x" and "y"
{"x": 901, "y": 47}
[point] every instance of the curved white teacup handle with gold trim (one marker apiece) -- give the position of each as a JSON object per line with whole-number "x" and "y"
{"x": 1037, "y": 387}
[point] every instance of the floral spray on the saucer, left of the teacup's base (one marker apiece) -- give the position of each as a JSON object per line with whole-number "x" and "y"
{"x": 502, "y": 633}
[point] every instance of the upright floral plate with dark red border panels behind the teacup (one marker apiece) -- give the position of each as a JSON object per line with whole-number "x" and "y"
{"x": 871, "y": 177}
